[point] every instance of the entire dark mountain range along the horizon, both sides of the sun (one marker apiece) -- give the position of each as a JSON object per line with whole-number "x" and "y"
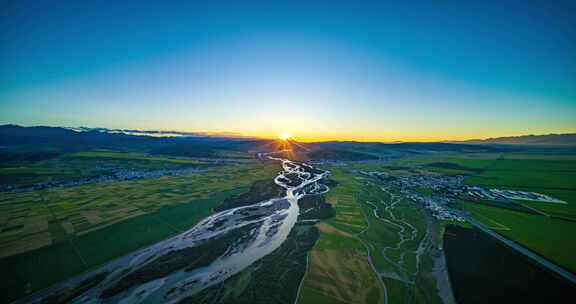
{"x": 39, "y": 142}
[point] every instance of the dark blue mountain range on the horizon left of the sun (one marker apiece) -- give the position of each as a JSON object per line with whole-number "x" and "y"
{"x": 63, "y": 139}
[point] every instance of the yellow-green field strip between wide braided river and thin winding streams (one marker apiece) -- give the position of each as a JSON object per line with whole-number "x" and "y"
{"x": 339, "y": 270}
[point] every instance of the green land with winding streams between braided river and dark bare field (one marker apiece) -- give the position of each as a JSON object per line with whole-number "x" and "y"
{"x": 368, "y": 253}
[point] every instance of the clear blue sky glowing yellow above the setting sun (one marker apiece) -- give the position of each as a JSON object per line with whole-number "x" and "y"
{"x": 319, "y": 70}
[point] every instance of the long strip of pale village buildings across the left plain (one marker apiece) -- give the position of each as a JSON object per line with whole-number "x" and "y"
{"x": 113, "y": 175}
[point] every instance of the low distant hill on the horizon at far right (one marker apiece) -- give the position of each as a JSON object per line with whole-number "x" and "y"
{"x": 568, "y": 139}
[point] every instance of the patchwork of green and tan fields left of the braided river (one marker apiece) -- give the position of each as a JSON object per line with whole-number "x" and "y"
{"x": 49, "y": 235}
